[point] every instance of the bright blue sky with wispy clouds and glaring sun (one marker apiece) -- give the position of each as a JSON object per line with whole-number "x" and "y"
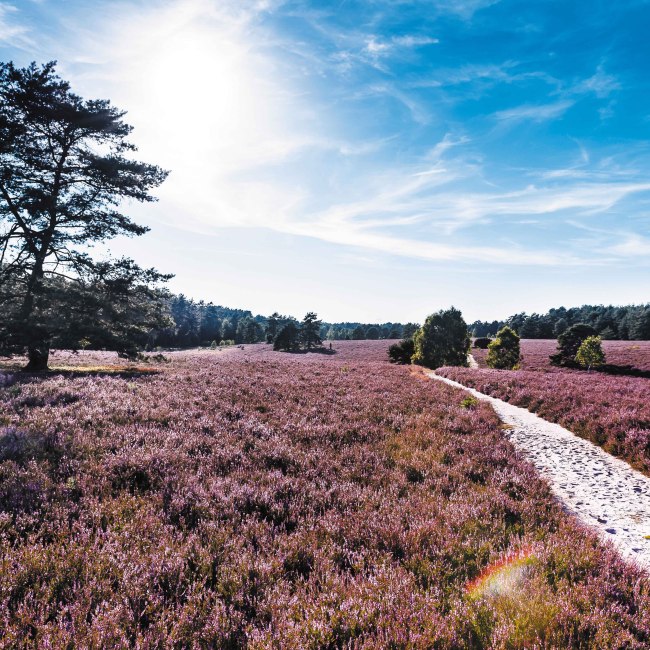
{"x": 374, "y": 161}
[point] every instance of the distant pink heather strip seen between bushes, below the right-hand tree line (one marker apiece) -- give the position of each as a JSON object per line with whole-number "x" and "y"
{"x": 535, "y": 354}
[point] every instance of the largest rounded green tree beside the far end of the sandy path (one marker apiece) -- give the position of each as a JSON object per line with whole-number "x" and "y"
{"x": 443, "y": 340}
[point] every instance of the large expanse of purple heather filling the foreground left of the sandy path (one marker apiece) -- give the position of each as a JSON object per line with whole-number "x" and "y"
{"x": 247, "y": 498}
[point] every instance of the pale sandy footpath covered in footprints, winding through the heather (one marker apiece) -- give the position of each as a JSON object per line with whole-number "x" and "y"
{"x": 602, "y": 491}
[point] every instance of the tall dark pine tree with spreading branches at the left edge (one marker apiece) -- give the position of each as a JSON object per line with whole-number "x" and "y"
{"x": 64, "y": 171}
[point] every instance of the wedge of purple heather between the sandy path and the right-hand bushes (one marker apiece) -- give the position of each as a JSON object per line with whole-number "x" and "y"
{"x": 612, "y": 412}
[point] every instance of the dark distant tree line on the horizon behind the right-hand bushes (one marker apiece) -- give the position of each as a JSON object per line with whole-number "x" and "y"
{"x": 630, "y": 322}
